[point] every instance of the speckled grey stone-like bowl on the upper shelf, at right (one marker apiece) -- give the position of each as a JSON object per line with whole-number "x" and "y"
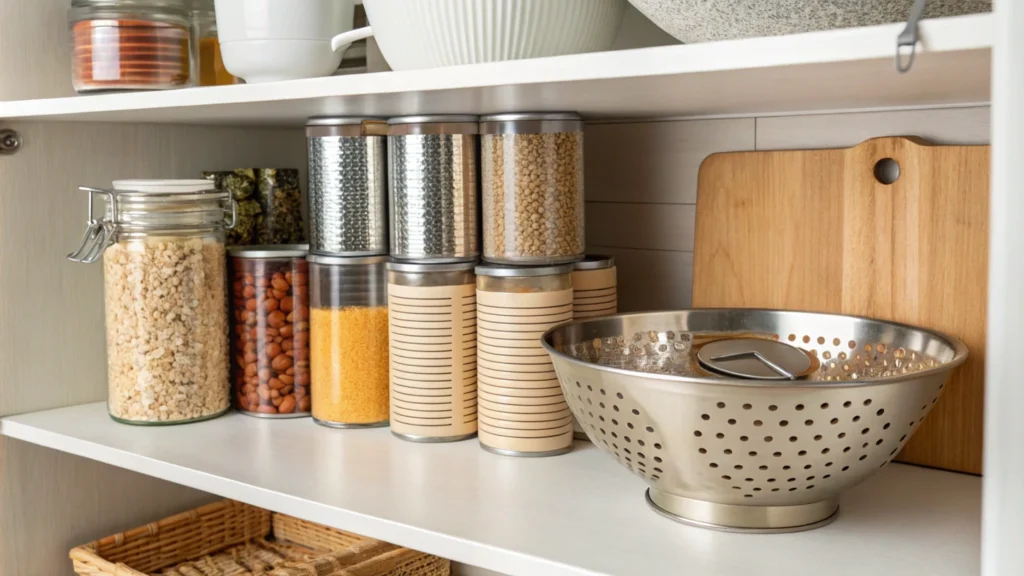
{"x": 705, "y": 21}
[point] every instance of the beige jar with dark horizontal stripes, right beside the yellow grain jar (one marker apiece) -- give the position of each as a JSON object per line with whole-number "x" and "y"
{"x": 433, "y": 339}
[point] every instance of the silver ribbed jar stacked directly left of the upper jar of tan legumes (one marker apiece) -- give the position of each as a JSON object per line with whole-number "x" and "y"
{"x": 433, "y": 178}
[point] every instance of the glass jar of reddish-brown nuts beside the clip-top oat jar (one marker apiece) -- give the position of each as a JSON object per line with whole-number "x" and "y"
{"x": 271, "y": 335}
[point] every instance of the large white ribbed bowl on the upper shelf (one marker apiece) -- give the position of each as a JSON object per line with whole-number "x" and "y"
{"x": 436, "y": 33}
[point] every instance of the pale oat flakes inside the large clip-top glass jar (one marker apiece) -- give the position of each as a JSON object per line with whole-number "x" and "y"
{"x": 166, "y": 330}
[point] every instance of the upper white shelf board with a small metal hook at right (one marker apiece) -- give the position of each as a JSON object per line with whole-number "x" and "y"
{"x": 823, "y": 71}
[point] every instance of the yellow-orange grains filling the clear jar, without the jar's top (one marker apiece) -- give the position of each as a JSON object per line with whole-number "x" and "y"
{"x": 350, "y": 365}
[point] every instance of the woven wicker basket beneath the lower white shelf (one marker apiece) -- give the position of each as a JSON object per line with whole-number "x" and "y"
{"x": 229, "y": 539}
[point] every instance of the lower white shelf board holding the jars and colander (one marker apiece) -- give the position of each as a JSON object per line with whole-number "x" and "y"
{"x": 575, "y": 515}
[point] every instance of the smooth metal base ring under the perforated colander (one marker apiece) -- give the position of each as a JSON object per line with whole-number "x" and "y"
{"x": 748, "y": 520}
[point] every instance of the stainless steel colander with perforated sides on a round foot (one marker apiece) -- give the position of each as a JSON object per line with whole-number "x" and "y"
{"x": 750, "y": 455}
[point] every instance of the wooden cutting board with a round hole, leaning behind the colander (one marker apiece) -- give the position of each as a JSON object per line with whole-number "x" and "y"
{"x": 819, "y": 231}
